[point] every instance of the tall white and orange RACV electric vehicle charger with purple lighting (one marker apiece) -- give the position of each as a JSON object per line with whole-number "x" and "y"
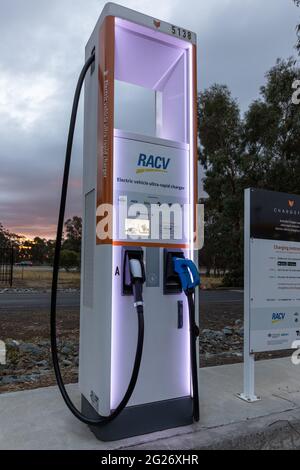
{"x": 140, "y": 155}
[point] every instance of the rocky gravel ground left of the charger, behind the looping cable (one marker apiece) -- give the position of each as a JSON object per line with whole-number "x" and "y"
{"x": 26, "y": 334}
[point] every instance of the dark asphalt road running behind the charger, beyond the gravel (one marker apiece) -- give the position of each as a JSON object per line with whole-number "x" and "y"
{"x": 67, "y": 300}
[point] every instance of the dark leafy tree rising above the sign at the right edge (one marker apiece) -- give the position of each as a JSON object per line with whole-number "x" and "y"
{"x": 272, "y": 133}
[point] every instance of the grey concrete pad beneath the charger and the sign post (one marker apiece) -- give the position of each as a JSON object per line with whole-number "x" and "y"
{"x": 38, "y": 419}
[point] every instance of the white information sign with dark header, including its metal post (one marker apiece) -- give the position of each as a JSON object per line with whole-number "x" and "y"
{"x": 271, "y": 277}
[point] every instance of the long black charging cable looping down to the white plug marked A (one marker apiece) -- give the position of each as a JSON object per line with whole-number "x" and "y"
{"x": 139, "y": 307}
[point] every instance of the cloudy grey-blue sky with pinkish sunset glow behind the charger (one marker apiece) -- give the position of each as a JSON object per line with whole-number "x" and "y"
{"x": 41, "y": 53}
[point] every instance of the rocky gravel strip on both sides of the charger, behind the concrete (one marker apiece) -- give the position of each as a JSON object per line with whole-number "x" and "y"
{"x": 26, "y": 334}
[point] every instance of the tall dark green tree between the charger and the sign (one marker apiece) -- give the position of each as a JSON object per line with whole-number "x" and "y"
{"x": 221, "y": 154}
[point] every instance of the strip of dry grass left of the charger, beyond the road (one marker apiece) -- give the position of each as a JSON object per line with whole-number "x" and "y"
{"x": 41, "y": 278}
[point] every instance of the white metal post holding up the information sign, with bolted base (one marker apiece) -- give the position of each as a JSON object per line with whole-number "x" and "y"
{"x": 248, "y": 394}
